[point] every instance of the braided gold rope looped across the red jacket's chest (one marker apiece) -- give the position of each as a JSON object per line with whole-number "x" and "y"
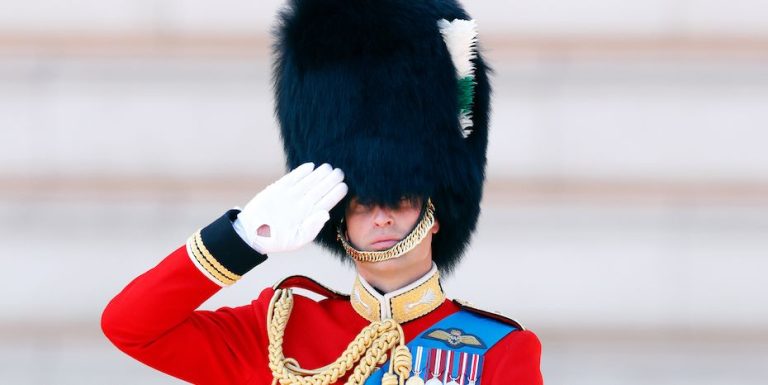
{"x": 364, "y": 353}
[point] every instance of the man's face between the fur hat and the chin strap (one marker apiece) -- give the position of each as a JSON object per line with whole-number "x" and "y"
{"x": 375, "y": 227}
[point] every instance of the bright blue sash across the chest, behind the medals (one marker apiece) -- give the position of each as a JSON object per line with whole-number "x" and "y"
{"x": 458, "y": 333}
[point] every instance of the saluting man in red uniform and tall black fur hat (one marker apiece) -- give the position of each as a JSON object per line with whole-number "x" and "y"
{"x": 396, "y": 95}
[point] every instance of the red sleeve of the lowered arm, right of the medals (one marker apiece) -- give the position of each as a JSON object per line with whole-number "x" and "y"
{"x": 515, "y": 360}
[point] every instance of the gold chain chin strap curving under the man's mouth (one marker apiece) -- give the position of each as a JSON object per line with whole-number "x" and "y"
{"x": 405, "y": 245}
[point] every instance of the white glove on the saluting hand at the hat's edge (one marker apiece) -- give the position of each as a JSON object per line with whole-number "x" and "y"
{"x": 290, "y": 212}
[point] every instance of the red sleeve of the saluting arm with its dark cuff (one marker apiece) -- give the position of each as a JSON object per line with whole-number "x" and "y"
{"x": 154, "y": 319}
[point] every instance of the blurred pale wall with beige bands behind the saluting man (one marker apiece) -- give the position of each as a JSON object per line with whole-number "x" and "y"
{"x": 625, "y": 218}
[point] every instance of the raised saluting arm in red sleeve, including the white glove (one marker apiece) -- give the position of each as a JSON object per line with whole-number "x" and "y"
{"x": 154, "y": 319}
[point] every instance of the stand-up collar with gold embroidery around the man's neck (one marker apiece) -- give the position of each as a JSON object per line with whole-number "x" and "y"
{"x": 403, "y": 305}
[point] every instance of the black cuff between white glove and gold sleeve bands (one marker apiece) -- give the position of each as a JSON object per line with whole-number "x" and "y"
{"x": 226, "y": 246}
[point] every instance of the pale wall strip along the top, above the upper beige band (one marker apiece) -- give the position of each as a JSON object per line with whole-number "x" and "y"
{"x": 551, "y": 17}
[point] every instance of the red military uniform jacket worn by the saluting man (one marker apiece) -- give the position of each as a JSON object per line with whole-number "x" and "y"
{"x": 155, "y": 320}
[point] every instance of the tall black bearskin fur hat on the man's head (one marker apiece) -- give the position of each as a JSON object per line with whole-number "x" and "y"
{"x": 369, "y": 86}
